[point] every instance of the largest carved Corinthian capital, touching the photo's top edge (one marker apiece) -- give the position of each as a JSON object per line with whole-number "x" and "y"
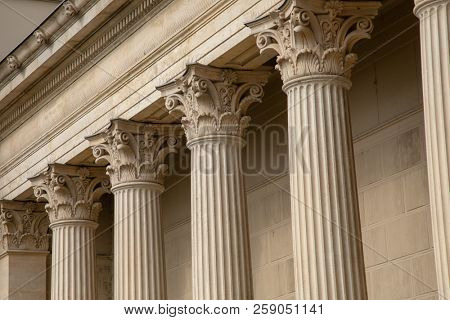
{"x": 315, "y": 37}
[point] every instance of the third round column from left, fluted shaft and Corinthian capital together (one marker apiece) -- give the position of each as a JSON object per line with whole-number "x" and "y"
{"x": 213, "y": 103}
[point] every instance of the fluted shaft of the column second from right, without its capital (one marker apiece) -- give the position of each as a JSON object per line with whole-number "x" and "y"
{"x": 325, "y": 219}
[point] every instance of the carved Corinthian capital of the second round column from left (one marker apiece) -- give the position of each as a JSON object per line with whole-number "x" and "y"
{"x": 135, "y": 151}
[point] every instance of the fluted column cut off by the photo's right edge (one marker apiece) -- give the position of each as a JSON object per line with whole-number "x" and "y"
{"x": 434, "y": 18}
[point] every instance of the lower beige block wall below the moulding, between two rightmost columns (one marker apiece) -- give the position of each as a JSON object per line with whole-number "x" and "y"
{"x": 395, "y": 213}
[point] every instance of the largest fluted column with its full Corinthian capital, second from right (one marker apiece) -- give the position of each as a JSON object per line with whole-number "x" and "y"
{"x": 313, "y": 41}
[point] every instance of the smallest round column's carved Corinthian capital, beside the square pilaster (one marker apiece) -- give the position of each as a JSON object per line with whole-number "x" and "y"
{"x": 71, "y": 192}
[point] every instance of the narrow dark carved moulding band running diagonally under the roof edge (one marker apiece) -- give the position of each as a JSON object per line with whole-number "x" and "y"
{"x": 104, "y": 42}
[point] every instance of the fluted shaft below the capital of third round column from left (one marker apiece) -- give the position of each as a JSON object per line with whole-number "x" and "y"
{"x": 221, "y": 260}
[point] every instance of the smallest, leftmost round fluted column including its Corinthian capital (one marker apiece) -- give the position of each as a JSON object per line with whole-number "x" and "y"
{"x": 73, "y": 195}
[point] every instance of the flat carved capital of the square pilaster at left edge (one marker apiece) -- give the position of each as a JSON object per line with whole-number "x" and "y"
{"x": 23, "y": 226}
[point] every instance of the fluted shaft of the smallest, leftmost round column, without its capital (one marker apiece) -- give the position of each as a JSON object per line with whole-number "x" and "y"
{"x": 73, "y": 260}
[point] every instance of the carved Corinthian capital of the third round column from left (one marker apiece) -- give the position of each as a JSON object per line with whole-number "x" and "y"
{"x": 214, "y": 101}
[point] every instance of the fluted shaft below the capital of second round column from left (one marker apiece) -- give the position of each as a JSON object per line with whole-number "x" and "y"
{"x": 138, "y": 239}
